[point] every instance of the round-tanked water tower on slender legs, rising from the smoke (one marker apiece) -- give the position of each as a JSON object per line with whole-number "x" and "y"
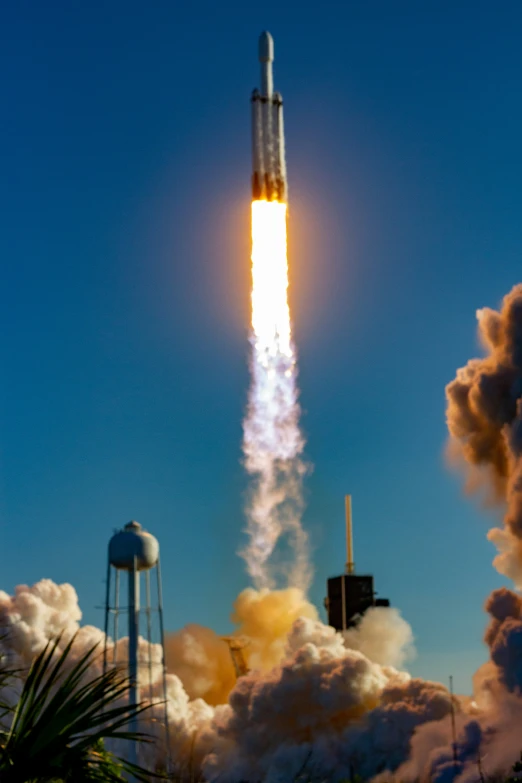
{"x": 135, "y": 552}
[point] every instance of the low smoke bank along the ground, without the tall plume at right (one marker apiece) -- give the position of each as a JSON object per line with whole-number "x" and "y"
{"x": 316, "y": 703}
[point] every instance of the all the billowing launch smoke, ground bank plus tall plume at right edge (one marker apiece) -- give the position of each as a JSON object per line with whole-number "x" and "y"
{"x": 318, "y": 705}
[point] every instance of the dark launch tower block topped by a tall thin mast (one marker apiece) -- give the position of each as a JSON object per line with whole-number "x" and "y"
{"x": 351, "y": 594}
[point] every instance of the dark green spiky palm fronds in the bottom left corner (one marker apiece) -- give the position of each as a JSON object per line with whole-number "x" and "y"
{"x": 61, "y": 720}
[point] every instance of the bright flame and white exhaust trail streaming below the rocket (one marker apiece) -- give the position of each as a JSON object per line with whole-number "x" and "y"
{"x": 272, "y": 439}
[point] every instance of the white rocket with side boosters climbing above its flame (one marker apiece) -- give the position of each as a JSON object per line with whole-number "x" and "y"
{"x": 268, "y": 140}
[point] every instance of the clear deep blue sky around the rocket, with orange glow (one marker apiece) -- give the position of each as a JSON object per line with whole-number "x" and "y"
{"x": 125, "y": 146}
